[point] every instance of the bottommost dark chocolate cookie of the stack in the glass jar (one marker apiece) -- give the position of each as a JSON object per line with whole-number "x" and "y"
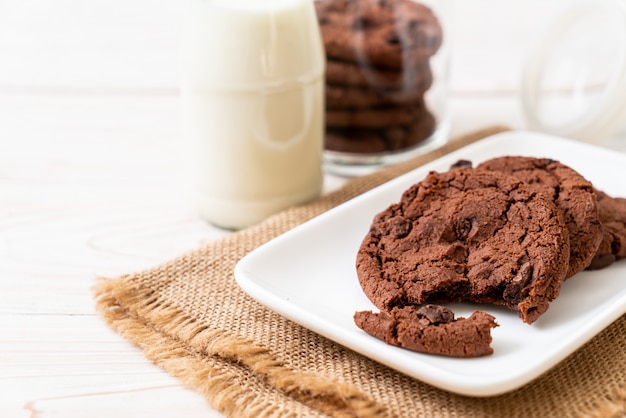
{"x": 387, "y": 139}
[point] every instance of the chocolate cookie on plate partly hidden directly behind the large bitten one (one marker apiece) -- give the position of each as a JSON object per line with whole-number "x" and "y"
{"x": 571, "y": 192}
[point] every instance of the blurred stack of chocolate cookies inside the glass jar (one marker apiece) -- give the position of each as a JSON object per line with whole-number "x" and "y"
{"x": 378, "y": 70}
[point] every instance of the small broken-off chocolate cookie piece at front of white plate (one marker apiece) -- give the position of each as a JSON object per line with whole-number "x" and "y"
{"x": 431, "y": 329}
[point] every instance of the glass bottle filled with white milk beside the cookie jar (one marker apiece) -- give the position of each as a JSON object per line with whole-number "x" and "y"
{"x": 252, "y": 80}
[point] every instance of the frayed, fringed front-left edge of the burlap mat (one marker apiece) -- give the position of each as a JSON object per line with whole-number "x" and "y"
{"x": 213, "y": 362}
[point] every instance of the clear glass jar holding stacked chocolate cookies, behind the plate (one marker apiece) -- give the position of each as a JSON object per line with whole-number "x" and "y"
{"x": 386, "y": 81}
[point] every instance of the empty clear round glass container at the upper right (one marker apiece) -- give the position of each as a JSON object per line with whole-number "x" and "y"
{"x": 574, "y": 82}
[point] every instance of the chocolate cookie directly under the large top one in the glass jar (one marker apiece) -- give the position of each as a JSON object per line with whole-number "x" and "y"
{"x": 351, "y": 74}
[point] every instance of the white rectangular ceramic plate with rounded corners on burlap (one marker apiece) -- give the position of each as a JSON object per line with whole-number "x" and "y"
{"x": 308, "y": 275}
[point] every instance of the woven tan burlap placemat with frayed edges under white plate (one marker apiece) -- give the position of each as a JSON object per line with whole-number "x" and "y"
{"x": 190, "y": 318}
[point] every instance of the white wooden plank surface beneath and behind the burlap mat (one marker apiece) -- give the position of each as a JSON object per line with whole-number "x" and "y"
{"x": 90, "y": 185}
